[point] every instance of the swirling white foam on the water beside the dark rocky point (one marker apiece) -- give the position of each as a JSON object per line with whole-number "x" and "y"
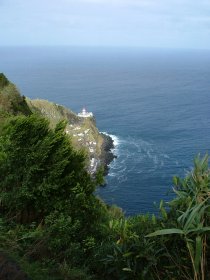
{"x": 133, "y": 155}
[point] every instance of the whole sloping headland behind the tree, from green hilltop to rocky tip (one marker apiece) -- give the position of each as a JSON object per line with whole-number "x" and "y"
{"x": 82, "y": 131}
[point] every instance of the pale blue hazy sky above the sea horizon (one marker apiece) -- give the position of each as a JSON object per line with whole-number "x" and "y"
{"x": 144, "y": 23}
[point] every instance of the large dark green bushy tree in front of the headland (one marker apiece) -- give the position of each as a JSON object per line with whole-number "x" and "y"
{"x": 40, "y": 172}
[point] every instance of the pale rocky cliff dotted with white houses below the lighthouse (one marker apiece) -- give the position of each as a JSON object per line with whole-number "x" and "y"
{"x": 82, "y": 131}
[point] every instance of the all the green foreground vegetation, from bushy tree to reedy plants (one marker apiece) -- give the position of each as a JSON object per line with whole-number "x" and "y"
{"x": 53, "y": 226}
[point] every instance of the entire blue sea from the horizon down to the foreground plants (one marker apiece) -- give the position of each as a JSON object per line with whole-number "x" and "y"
{"x": 156, "y": 103}
